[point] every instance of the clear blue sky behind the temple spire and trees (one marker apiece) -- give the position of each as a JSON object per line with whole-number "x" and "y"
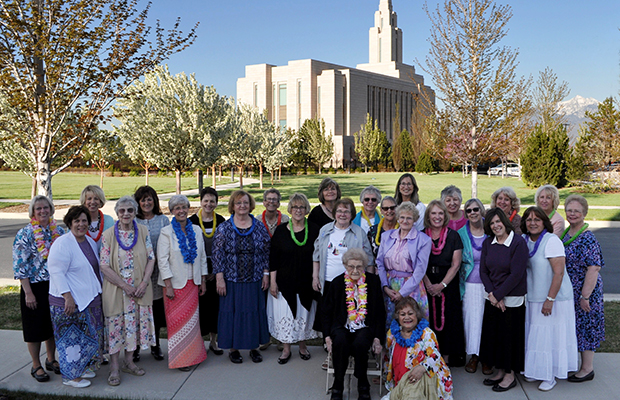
{"x": 579, "y": 40}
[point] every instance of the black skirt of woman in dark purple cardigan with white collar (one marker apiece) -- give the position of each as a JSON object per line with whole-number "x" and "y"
{"x": 503, "y": 337}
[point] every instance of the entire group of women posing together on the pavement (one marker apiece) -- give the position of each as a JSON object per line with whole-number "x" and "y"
{"x": 430, "y": 283}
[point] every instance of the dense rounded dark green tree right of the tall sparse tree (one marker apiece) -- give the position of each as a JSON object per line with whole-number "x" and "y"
{"x": 544, "y": 159}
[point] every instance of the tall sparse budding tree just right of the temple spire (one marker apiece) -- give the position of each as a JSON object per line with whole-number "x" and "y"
{"x": 475, "y": 76}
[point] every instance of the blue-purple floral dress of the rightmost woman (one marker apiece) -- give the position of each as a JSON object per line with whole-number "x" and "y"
{"x": 583, "y": 252}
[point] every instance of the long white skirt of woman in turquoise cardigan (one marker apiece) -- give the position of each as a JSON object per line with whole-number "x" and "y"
{"x": 473, "y": 311}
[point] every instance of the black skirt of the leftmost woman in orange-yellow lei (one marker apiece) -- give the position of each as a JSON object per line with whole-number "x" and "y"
{"x": 37, "y": 323}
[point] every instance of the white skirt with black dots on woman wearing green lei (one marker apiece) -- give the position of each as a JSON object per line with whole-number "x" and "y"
{"x": 284, "y": 326}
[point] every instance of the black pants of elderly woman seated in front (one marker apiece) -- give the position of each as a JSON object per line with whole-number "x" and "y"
{"x": 356, "y": 344}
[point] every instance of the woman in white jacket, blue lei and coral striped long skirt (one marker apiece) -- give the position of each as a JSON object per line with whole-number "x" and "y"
{"x": 183, "y": 273}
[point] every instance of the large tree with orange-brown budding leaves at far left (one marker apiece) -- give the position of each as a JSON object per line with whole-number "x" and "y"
{"x": 68, "y": 60}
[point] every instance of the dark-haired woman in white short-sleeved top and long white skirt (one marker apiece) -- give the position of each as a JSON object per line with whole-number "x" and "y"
{"x": 550, "y": 339}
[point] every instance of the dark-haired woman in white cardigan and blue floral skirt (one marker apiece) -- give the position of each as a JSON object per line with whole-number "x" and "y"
{"x": 75, "y": 300}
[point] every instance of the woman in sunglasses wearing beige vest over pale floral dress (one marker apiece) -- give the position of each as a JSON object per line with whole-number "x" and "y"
{"x": 127, "y": 261}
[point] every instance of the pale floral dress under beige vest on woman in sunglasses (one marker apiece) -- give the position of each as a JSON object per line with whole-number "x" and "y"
{"x": 134, "y": 326}
